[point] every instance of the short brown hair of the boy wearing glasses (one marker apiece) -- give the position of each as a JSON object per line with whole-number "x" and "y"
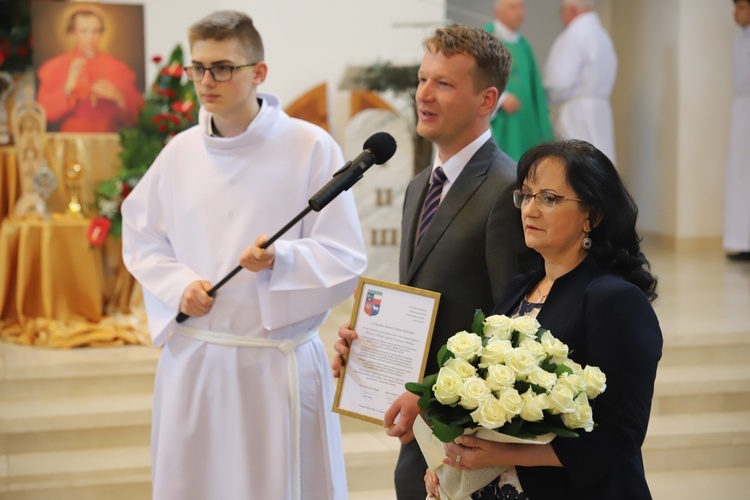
{"x": 228, "y": 25}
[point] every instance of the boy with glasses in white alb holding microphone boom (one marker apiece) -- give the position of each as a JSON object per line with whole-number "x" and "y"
{"x": 243, "y": 396}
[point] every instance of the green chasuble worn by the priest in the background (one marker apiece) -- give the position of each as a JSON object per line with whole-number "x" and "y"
{"x": 530, "y": 125}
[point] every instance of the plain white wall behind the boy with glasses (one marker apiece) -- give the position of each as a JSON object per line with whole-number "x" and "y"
{"x": 308, "y": 42}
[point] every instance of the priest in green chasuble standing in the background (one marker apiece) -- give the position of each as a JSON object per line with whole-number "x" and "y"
{"x": 522, "y": 119}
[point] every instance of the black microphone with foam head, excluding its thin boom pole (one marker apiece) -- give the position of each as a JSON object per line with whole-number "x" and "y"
{"x": 378, "y": 149}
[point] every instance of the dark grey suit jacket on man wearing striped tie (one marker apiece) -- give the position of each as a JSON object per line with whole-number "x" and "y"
{"x": 468, "y": 254}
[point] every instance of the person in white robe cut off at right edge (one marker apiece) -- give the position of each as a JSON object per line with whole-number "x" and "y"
{"x": 737, "y": 200}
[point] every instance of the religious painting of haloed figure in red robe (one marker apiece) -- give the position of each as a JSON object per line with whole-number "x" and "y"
{"x": 90, "y": 64}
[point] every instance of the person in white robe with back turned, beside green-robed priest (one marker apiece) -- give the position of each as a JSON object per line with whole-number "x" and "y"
{"x": 579, "y": 76}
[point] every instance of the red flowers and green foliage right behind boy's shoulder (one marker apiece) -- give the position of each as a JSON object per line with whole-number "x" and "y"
{"x": 170, "y": 109}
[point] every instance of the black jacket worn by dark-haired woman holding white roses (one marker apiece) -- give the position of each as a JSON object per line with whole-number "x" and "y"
{"x": 606, "y": 322}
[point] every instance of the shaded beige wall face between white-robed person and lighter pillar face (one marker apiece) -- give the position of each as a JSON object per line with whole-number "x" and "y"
{"x": 645, "y": 108}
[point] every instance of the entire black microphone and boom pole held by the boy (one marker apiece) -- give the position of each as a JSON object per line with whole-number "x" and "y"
{"x": 378, "y": 149}
